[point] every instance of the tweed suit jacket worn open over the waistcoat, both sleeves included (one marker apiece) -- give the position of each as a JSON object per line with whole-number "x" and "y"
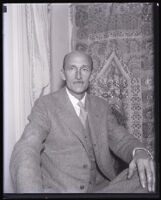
{"x": 51, "y": 152}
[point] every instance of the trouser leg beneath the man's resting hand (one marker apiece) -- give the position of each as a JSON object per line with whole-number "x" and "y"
{"x": 121, "y": 184}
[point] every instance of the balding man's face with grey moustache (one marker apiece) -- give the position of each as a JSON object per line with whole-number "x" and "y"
{"x": 77, "y": 71}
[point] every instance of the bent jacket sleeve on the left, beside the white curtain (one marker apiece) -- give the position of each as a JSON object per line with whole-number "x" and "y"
{"x": 25, "y": 159}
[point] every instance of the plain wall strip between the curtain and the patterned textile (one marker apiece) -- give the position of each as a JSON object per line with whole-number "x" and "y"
{"x": 60, "y": 41}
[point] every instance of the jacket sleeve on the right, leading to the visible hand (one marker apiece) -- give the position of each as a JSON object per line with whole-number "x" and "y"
{"x": 121, "y": 142}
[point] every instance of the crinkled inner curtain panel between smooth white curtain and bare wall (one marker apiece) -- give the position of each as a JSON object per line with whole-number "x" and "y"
{"x": 37, "y": 33}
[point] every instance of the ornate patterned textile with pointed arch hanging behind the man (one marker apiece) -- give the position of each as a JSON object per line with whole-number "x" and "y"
{"x": 119, "y": 38}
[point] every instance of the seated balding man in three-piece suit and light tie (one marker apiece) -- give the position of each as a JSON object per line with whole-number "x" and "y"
{"x": 65, "y": 147}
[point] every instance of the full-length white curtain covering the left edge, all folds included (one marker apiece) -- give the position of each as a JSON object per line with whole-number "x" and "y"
{"x": 26, "y": 69}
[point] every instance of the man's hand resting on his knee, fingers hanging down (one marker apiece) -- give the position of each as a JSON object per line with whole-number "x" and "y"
{"x": 146, "y": 170}
